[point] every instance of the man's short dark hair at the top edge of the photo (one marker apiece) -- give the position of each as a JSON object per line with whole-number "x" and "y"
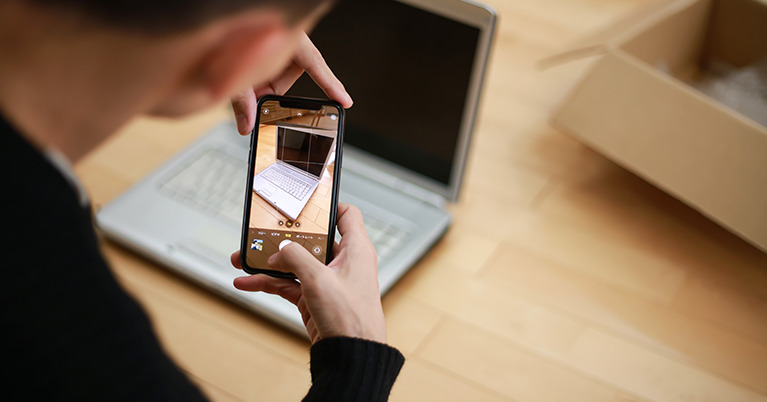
{"x": 166, "y": 16}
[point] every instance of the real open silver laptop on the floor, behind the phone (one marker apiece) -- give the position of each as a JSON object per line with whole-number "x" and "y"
{"x": 415, "y": 69}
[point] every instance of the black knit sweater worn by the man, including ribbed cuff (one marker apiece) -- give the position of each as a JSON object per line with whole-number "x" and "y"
{"x": 70, "y": 332}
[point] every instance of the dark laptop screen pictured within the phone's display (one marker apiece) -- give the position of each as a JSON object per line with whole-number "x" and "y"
{"x": 303, "y": 150}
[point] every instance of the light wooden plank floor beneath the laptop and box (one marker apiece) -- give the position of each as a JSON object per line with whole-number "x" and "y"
{"x": 573, "y": 280}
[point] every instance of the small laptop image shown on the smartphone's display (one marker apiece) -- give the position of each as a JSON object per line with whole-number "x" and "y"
{"x": 301, "y": 158}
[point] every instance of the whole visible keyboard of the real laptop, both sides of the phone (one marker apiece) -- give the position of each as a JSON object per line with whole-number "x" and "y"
{"x": 213, "y": 183}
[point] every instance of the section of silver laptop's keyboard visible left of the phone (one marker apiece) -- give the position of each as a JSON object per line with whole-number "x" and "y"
{"x": 213, "y": 183}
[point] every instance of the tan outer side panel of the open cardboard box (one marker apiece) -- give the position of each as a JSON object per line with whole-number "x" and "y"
{"x": 676, "y": 138}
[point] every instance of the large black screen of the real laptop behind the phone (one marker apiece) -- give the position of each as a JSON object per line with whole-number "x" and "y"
{"x": 408, "y": 71}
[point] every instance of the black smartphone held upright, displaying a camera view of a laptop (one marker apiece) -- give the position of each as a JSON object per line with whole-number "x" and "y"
{"x": 293, "y": 179}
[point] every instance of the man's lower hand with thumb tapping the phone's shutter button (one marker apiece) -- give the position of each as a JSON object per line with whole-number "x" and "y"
{"x": 340, "y": 299}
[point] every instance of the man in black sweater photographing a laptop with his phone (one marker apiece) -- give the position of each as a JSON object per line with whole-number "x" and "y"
{"x": 71, "y": 73}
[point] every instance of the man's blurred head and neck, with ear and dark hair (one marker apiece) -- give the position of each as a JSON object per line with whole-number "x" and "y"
{"x": 77, "y": 70}
